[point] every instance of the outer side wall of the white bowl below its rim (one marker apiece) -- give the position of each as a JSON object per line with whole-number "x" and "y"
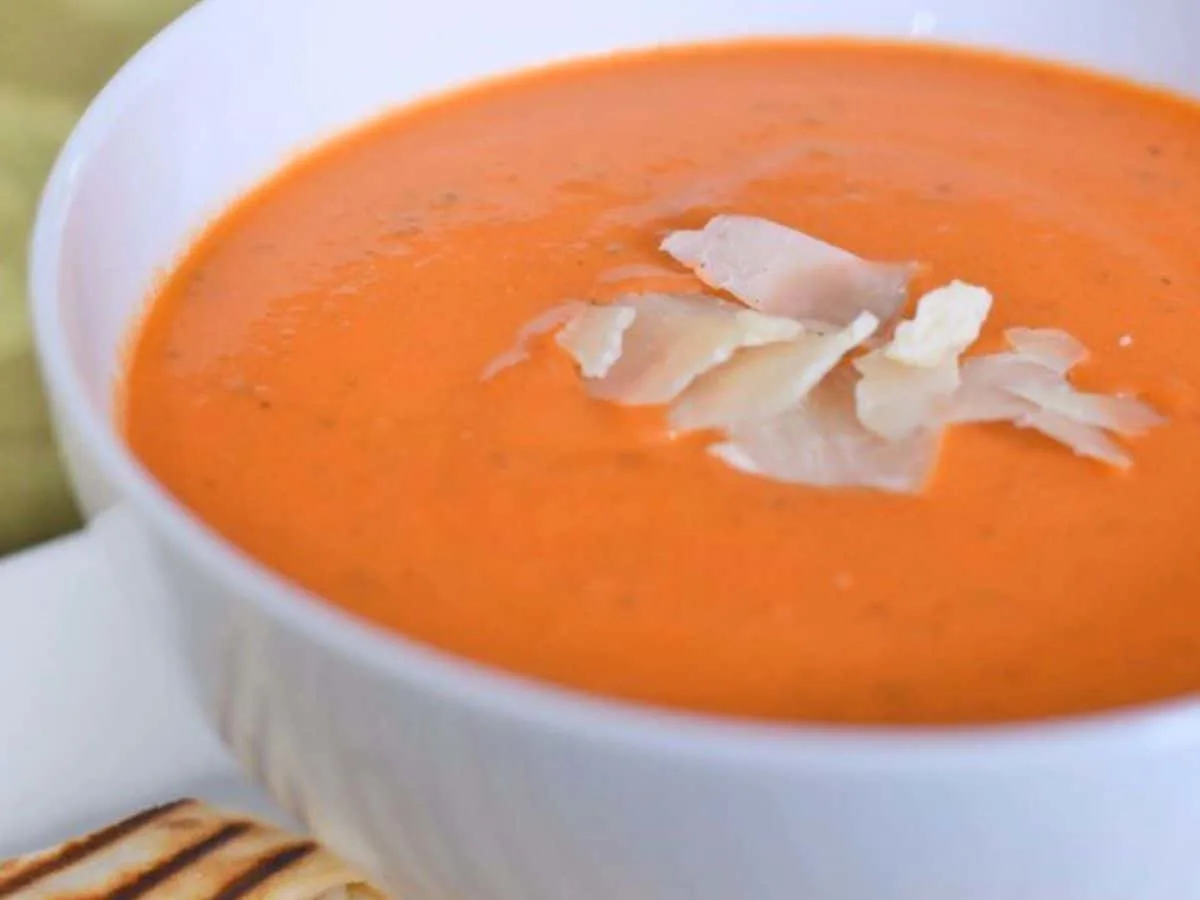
{"x": 445, "y": 797}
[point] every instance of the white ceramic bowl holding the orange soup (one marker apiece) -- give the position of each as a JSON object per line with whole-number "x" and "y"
{"x": 453, "y": 782}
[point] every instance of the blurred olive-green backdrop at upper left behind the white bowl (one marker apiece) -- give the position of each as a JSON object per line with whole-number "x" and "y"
{"x": 55, "y": 56}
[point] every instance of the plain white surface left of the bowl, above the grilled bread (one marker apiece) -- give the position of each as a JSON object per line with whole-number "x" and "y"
{"x": 95, "y": 722}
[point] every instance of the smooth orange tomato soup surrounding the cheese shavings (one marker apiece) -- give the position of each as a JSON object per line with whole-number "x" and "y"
{"x": 308, "y": 382}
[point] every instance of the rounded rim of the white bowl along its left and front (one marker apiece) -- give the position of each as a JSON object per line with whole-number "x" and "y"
{"x": 489, "y": 692}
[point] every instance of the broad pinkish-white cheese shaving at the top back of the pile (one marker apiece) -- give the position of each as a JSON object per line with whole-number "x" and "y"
{"x": 779, "y": 271}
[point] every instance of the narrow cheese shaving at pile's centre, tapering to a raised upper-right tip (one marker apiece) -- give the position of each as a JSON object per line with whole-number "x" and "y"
{"x": 763, "y": 383}
